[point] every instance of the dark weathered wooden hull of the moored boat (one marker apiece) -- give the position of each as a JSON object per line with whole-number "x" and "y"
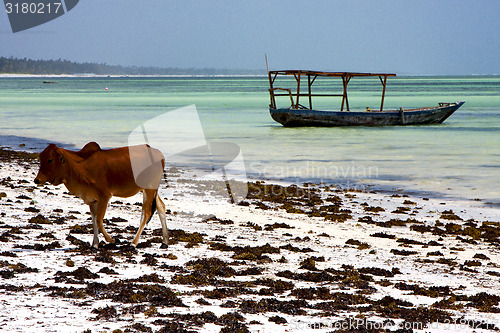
{"x": 304, "y": 117}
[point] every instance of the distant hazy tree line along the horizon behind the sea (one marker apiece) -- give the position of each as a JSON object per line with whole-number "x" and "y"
{"x": 28, "y": 66}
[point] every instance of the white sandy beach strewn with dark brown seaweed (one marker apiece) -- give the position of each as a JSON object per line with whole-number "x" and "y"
{"x": 286, "y": 259}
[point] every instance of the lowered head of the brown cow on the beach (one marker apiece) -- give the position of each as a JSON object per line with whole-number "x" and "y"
{"x": 51, "y": 166}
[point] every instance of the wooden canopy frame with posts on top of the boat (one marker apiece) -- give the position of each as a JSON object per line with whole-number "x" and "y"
{"x": 311, "y": 77}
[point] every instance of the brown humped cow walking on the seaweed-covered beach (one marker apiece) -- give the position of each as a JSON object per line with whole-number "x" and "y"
{"x": 95, "y": 175}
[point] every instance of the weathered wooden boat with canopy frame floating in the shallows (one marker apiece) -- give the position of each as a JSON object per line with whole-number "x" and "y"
{"x": 299, "y": 115}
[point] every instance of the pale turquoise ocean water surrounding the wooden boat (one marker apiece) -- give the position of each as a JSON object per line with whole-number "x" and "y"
{"x": 458, "y": 159}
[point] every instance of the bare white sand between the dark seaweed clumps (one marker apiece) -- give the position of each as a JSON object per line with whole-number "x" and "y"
{"x": 33, "y": 310}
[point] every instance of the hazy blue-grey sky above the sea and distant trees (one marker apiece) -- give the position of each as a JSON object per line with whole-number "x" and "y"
{"x": 435, "y": 37}
